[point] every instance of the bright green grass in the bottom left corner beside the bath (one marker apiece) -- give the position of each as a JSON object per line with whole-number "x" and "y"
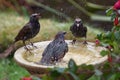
{"x": 10, "y": 70}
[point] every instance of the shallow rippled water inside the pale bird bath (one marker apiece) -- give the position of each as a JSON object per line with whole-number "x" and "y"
{"x": 80, "y": 53}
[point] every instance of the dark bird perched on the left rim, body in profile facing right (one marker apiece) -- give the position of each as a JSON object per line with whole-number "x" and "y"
{"x": 29, "y": 31}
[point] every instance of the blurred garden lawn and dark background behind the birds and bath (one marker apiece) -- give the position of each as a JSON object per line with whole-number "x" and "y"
{"x": 56, "y": 15}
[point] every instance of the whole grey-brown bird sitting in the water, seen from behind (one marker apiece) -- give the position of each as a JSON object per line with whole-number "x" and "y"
{"x": 55, "y": 50}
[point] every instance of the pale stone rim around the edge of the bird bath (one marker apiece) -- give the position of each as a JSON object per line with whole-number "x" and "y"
{"x": 24, "y": 63}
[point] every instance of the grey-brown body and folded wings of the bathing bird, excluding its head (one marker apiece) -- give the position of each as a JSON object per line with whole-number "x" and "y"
{"x": 55, "y": 50}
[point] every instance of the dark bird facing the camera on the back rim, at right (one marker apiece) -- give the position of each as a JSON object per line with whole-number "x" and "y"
{"x": 78, "y": 30}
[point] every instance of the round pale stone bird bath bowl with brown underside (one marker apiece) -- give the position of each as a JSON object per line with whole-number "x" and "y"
{"x": 81, "y": 54}
